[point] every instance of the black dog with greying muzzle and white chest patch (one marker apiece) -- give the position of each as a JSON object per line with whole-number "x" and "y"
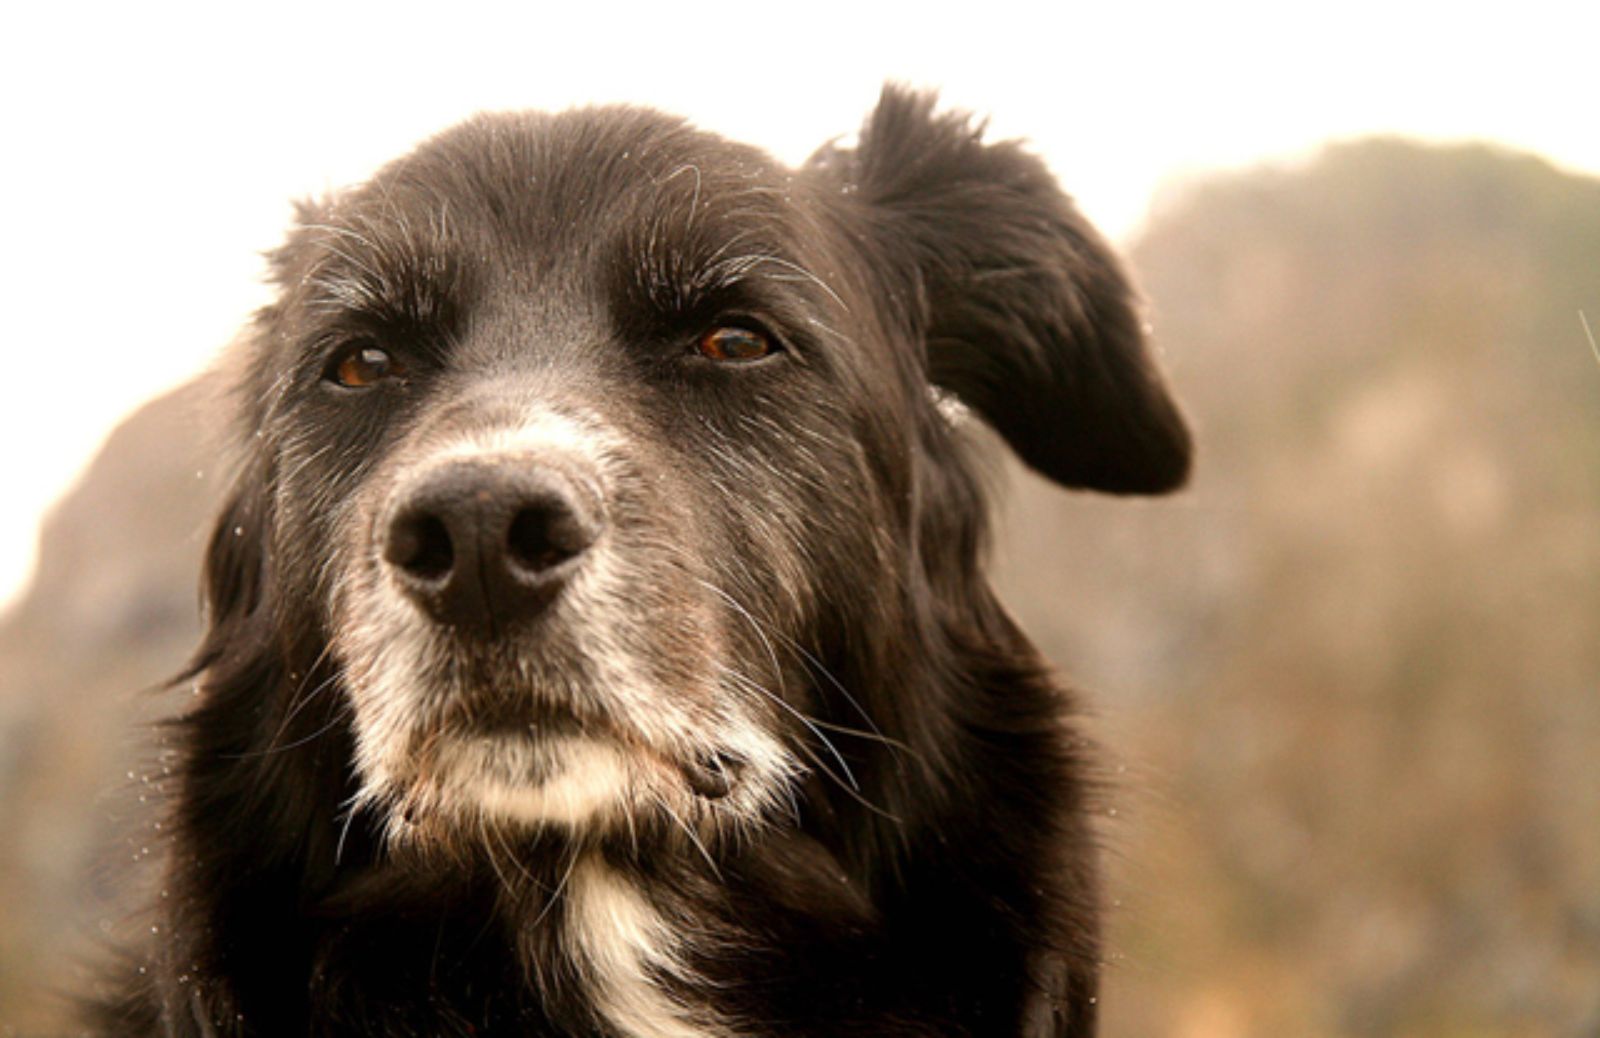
{"x": 599, "y": 641}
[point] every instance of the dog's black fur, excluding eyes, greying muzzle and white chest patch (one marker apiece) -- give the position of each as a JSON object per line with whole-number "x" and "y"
{"x": 946, "y": 885}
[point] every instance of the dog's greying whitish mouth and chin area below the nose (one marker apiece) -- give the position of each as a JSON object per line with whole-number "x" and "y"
{"x": 604, "y": 721}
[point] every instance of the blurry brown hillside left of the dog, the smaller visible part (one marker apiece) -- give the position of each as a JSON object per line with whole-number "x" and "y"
{"x": 111, "y": 617}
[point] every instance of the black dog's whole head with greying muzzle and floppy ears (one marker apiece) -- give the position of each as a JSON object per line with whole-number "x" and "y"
{"x": 591, "y": 458}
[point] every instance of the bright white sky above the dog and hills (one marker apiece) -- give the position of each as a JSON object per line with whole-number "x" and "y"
{"x": 151, "y": 151}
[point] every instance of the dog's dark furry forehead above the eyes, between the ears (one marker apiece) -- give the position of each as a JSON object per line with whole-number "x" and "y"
{"x": 569, "y": 212}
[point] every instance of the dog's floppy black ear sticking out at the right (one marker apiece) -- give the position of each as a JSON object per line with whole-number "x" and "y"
{"x": 1026, "y": 314}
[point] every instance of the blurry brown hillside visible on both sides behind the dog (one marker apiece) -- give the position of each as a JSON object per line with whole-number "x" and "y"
{"x": 1350, "y": 682}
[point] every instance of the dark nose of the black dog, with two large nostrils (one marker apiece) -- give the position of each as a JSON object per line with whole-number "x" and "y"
{"x": 487, "y": 545}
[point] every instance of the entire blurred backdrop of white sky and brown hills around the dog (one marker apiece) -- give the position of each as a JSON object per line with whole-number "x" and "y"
{"x": 1348, "y": 684}
